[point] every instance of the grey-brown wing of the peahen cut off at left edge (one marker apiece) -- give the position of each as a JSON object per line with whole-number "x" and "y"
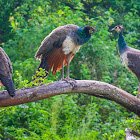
{"x": 5, "y": 64}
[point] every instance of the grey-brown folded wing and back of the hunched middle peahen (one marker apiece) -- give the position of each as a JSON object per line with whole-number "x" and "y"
{"x": 54, "y": 40}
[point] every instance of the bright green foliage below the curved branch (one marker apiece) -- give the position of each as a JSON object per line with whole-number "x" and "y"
{"x": 64, "y": 117}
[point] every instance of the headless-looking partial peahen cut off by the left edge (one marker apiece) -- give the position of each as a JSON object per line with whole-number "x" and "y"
{"x": 6, "y": 72}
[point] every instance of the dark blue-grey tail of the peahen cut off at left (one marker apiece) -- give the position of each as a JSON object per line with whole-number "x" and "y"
{"x": 8, "y": 83}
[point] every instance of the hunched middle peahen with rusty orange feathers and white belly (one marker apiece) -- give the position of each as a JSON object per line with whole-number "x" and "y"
{"x": 60, "y": 46}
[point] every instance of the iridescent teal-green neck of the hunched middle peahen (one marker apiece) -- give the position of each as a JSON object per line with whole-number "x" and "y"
{"x": 84, "y": 35}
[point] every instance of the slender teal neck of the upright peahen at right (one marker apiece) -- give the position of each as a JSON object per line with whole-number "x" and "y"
{"x": 121, "y": 43}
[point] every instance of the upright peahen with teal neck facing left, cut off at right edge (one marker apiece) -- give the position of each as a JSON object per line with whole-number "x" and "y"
{"x": 130, "y": 56}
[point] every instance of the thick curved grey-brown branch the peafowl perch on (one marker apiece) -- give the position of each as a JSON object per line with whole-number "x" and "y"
{"x": 90, "y": 87}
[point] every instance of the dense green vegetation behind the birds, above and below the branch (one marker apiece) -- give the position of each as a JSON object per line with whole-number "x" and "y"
{"x": 24, "y": 24}
